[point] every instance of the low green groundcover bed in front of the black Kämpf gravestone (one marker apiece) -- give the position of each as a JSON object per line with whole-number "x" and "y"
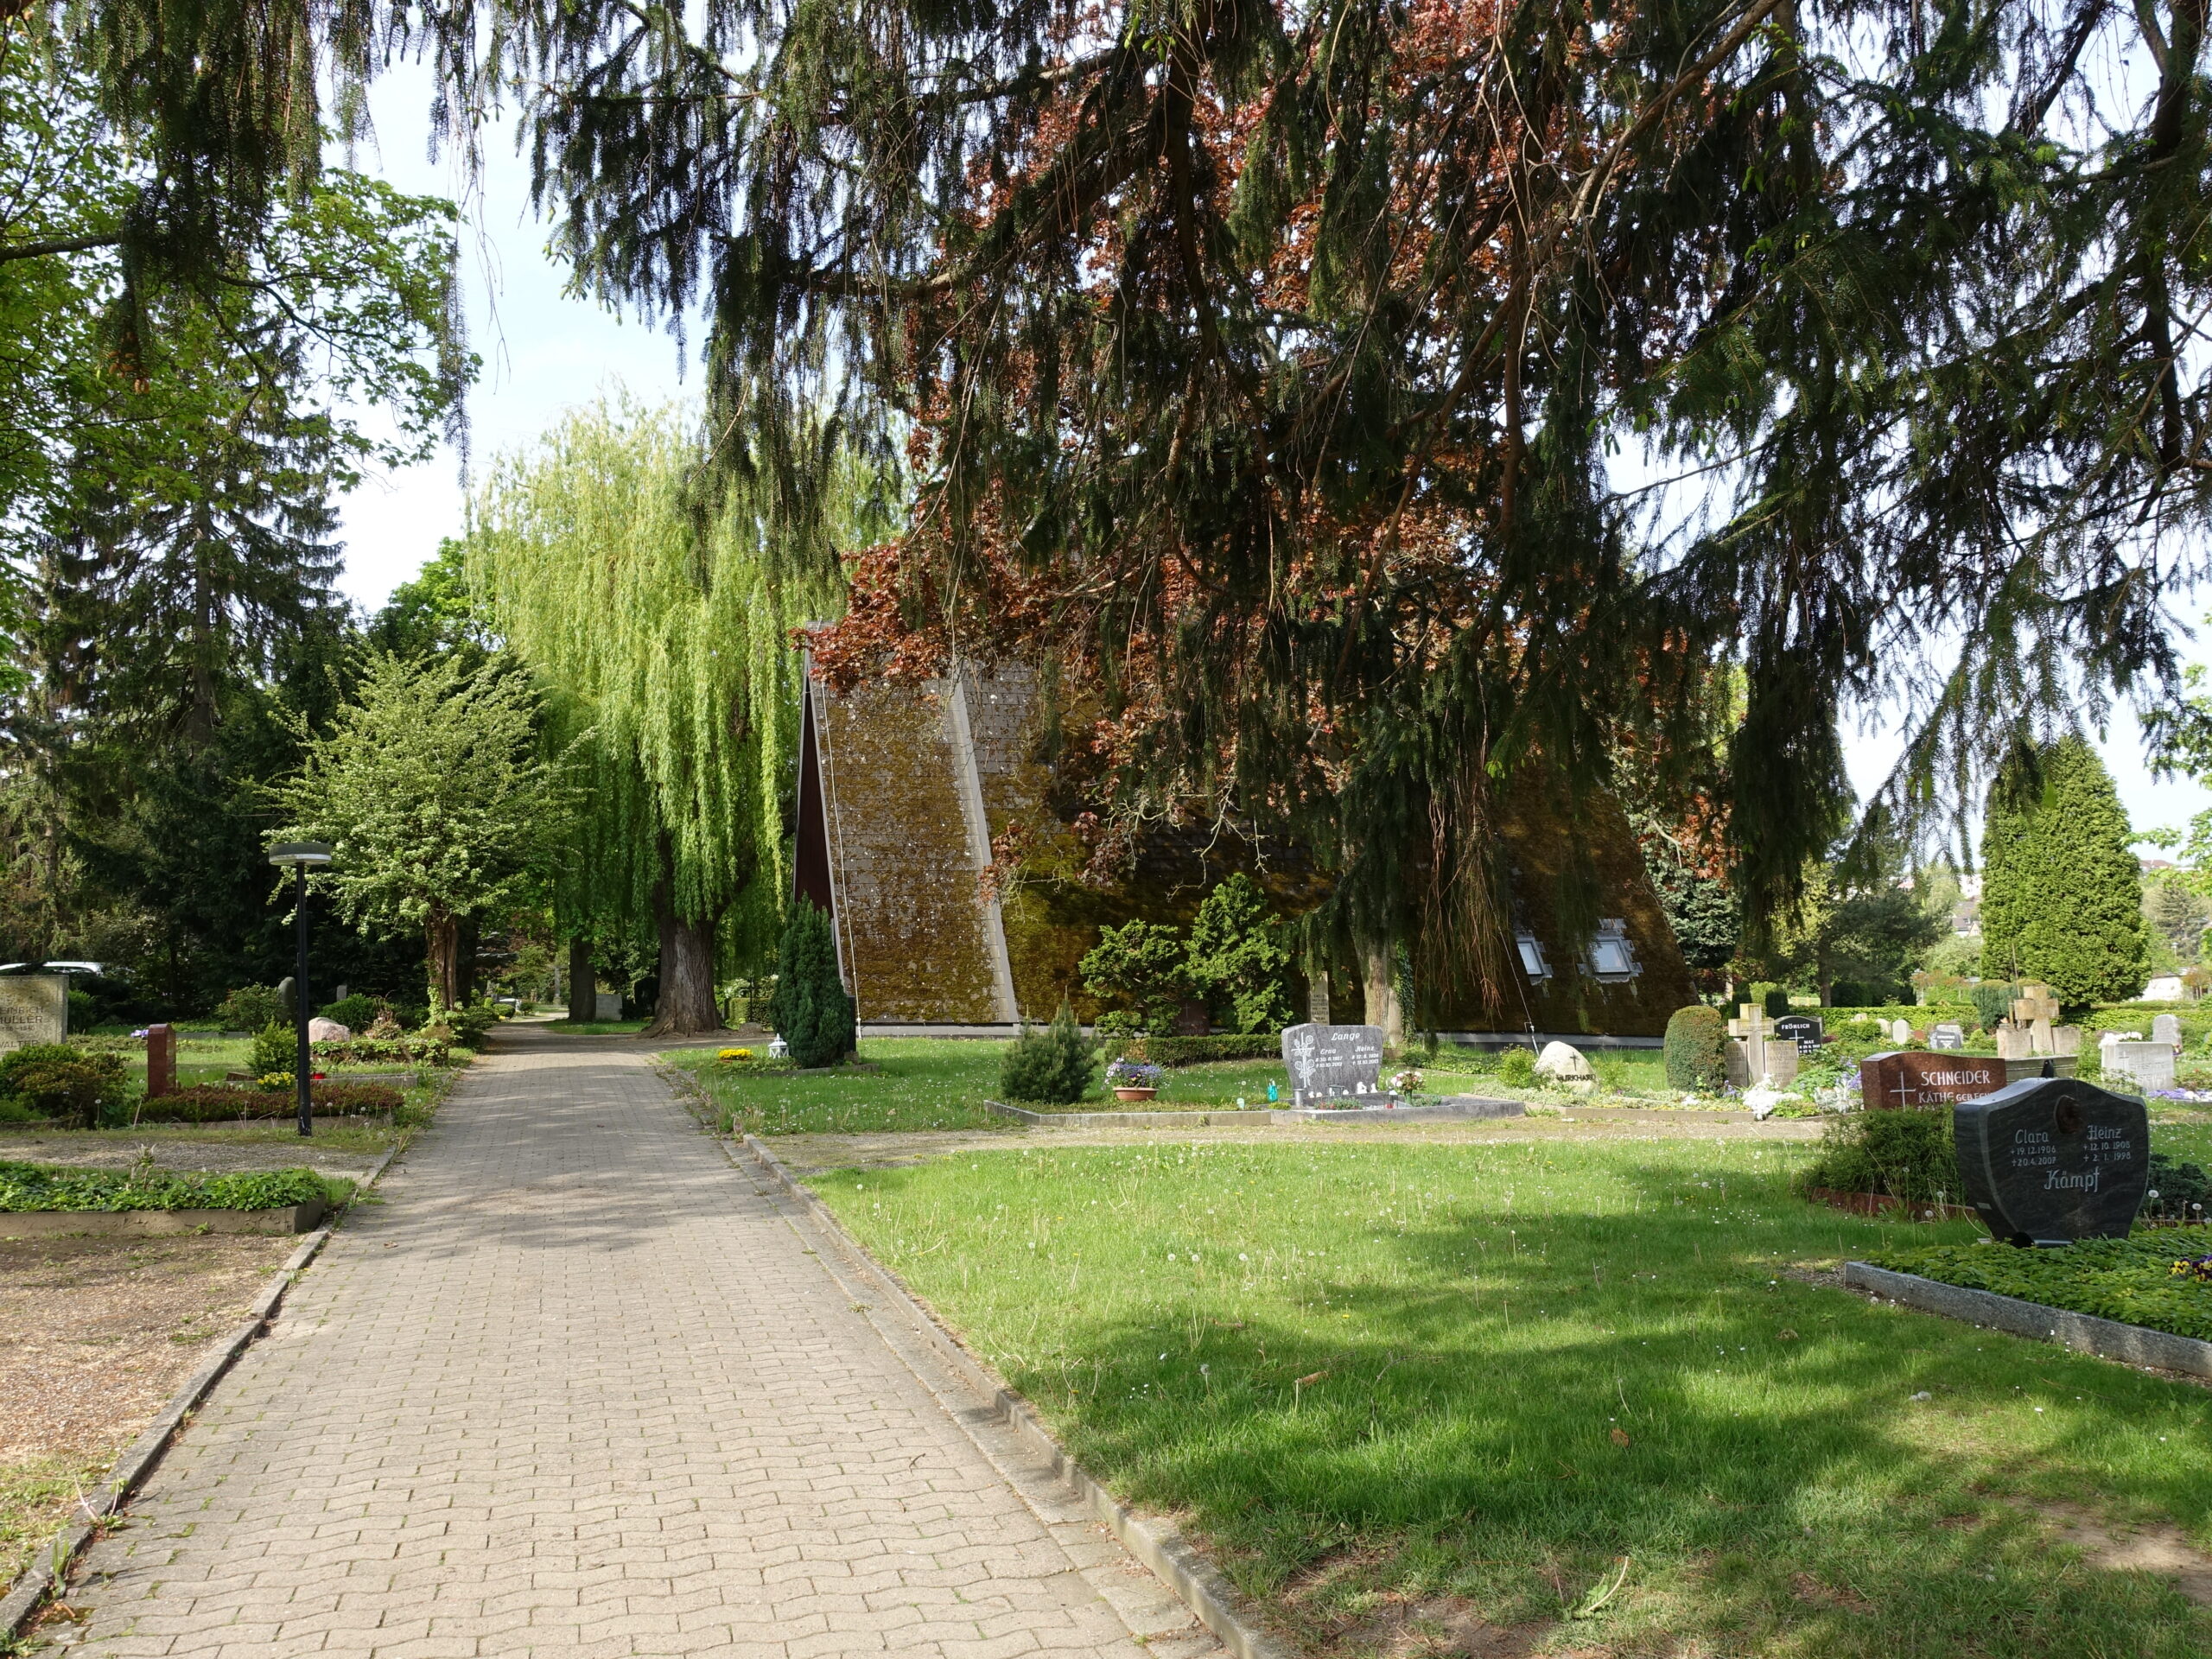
{"x": 2127, "y": 1280}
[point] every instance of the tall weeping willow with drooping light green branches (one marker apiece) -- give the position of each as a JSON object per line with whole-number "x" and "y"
{"x": 660, "y": 625}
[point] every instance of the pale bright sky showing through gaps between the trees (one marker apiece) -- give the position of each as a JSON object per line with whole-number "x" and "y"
{"x": 545, "y": 353}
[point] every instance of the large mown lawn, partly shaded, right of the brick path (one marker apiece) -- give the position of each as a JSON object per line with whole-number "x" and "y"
{"x": 1474, "y": 1381}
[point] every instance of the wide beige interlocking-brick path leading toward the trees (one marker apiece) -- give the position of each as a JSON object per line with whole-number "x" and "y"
{"x": 578, "y": 1388}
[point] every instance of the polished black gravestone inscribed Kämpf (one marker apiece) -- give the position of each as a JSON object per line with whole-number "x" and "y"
{"x": 2054, "y": 1160}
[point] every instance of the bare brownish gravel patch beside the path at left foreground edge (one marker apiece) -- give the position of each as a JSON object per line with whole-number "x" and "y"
{"x": 94, "y": 1339}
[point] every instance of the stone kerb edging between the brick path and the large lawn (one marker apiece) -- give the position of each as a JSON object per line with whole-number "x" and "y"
{"x": 1158, "y": 1545}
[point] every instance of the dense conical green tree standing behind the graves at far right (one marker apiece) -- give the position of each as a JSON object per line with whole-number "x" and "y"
{"x": 2060, "y": 886}
